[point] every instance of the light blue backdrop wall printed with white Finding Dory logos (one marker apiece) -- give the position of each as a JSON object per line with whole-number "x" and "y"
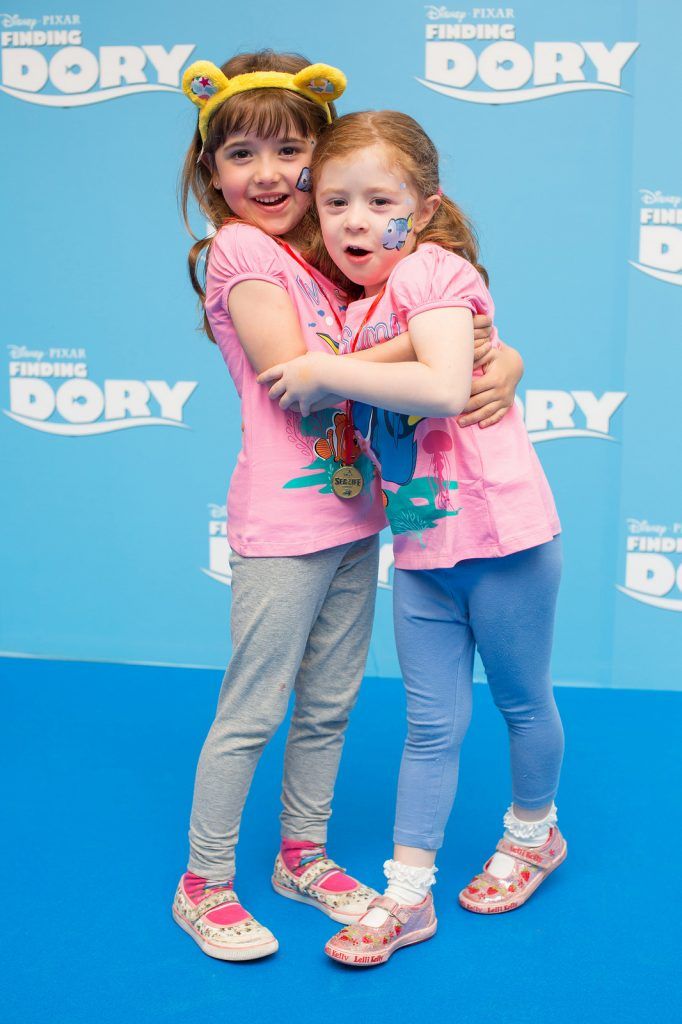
{"x": 120, "y": 425}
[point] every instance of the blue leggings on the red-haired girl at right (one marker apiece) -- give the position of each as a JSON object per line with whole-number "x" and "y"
{"x": 504, "y": 607}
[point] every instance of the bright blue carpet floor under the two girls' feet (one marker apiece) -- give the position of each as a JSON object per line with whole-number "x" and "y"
{"x": 100, "y": 765}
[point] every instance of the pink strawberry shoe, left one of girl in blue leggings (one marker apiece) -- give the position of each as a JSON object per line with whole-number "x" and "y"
{"x": 360, "y": 946}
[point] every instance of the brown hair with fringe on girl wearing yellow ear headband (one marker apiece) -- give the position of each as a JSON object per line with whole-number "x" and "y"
{"x": 268, "y": 113}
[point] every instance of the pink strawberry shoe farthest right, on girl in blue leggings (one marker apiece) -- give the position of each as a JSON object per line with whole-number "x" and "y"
{"x": 489, "y": 894}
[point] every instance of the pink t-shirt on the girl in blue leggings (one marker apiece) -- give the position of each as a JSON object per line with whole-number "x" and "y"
{"x": 452, "y": 493}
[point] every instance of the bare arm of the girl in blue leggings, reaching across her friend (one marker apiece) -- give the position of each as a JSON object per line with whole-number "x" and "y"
{"x": 438, "y": 386}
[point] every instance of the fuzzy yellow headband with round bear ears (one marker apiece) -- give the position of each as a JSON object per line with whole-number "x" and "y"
{"x": 208, "y": 89}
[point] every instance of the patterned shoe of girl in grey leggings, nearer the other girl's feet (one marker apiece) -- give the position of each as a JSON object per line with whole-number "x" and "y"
{"x": 346, "y": 907}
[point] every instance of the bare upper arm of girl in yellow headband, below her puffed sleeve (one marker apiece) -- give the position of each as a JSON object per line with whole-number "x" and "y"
{"x": 271, "y": 335}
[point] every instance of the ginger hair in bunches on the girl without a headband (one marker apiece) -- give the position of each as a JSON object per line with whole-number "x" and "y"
{"x": 416, "y": 155}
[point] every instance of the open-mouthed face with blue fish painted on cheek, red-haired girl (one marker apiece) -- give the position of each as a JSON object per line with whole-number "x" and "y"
{"x": 369, "y": 214}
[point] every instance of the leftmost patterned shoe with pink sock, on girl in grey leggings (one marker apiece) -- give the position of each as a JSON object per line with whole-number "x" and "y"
{"x": 229, "y": 934}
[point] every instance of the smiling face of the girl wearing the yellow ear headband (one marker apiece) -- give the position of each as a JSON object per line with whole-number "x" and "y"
{"x": 264, "y": 181}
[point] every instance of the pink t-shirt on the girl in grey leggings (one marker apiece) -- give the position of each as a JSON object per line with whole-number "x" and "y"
{"x": 280, "y": 500}
